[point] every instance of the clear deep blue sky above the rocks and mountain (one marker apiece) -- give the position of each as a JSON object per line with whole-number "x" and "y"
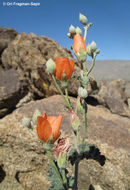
{"x": 111, "y": 18}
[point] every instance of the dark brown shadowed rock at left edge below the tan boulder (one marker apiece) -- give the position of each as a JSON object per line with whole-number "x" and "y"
{"x": 12, "y": 89}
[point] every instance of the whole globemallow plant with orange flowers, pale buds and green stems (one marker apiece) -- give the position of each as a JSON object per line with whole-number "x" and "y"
{"x": 48, "y": 127}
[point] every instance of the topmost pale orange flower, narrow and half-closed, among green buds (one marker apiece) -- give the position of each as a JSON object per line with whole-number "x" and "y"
{"x": 79, "y": 44}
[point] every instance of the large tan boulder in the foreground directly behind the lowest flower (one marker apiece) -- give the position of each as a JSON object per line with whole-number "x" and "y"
{"x": 22, "y": 156}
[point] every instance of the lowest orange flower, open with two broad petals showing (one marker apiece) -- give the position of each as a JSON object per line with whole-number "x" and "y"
{"x": 48, "y": 127}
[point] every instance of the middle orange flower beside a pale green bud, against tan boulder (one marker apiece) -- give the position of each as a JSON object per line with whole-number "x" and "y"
{"x": 63, "y": 65}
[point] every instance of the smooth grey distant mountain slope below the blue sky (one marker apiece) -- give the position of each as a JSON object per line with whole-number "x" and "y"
{"x": 110, "y": 69}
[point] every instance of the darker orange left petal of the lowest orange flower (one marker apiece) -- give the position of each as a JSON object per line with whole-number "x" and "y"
{"x": 44, "y": 129}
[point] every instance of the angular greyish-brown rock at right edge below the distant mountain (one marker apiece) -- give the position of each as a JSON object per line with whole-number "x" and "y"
{"x": 112, "y": 95}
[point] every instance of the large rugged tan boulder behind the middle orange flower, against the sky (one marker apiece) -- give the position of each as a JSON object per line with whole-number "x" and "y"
{"x": 28, "y": 54}
